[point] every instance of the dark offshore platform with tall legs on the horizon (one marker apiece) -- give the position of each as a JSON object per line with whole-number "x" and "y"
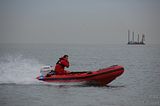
{"x": 132, "y": 42}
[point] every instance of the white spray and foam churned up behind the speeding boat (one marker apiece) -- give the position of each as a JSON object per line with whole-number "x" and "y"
{"x": 18, "y": 70}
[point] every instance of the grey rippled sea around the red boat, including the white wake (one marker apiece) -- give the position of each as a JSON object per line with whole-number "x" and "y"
{"x": 20, "y": 65}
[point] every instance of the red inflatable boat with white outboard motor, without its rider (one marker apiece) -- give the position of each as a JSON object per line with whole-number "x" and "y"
{"x": 99, "y": 77}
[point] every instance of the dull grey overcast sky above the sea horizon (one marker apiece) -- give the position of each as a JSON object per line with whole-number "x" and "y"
{"x": 78, "y": 21}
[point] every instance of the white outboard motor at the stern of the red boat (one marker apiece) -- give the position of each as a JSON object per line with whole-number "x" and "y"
{"x": 45, "y": 70}
